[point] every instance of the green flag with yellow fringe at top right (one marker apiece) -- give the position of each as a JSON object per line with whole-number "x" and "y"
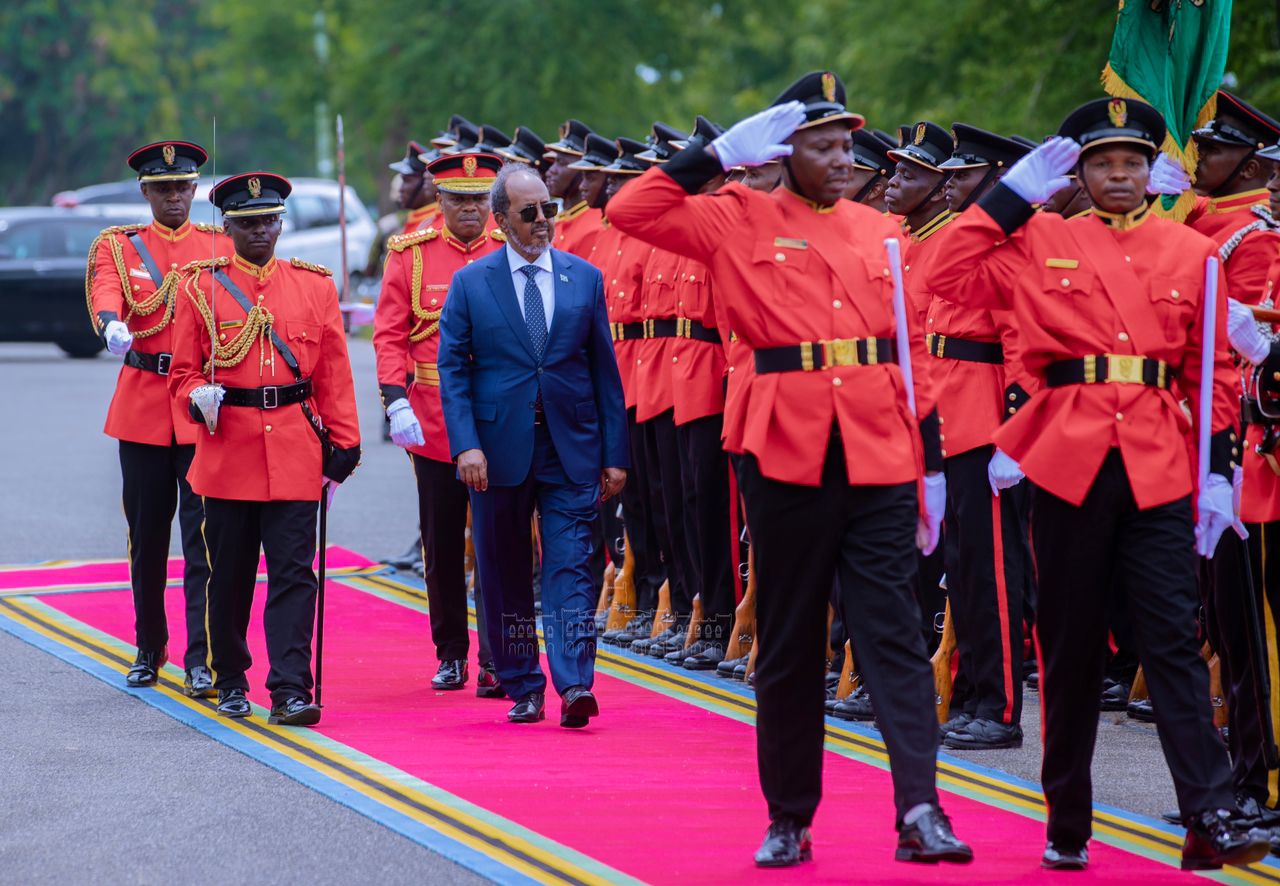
{"x": 1172, "y": 54}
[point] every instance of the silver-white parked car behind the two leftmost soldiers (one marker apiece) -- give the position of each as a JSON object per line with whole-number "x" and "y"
{"x": 310, "y": 222}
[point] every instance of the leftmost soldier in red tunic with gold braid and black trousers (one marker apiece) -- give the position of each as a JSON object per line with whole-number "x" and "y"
{"x": 131, "y": 287}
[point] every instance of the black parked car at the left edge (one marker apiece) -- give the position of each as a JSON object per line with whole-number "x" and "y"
{"x": 43, "y": 254}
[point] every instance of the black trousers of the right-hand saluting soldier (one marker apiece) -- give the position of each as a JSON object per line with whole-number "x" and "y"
{"x": 1081, "y": 551}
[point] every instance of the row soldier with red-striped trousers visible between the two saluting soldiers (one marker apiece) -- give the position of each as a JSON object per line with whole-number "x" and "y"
{"x": 980, "y": 383}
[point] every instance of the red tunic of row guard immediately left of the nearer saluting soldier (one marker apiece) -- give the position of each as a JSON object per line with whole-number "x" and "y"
{"x": 697, "y": 368}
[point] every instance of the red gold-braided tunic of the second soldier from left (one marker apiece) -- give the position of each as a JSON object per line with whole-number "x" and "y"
{"x": 264, "y": 455}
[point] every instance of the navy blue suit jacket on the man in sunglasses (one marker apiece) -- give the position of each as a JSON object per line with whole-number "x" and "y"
{"x": 490, "y": 377}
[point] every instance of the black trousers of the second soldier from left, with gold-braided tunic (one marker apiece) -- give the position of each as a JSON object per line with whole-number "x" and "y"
{"x": 286, "y": 533}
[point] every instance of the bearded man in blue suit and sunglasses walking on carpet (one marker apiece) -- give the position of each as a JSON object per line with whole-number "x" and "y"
{"x": 534, "y": 410}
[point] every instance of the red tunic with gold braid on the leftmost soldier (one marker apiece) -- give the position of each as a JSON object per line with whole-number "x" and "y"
{"x": 141, "y": 412}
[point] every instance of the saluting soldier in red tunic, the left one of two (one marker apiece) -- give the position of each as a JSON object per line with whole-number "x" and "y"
{"x": 833, "y": 454}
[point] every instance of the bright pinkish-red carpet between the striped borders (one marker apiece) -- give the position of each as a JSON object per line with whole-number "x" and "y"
{"x": 659, "y": 788}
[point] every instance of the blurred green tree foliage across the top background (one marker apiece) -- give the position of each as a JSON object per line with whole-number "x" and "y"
{"x": 85, "y": 81}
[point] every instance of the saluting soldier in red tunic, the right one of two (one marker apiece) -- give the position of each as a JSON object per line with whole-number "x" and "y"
{"x": 1110, "y": 313}
